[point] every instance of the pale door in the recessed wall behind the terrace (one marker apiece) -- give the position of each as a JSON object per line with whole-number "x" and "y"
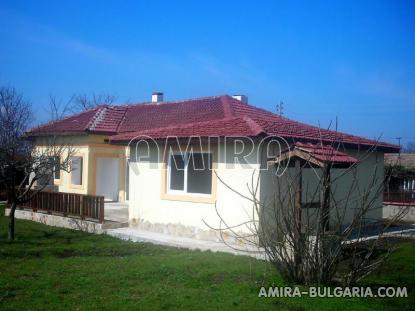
{"x": 107, "y": 178}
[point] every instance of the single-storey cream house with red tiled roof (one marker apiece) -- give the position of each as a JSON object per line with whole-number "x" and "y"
{"x": 141, "y": 153}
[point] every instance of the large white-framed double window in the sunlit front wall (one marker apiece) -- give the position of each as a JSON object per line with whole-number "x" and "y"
{"x": 190, "y": 173}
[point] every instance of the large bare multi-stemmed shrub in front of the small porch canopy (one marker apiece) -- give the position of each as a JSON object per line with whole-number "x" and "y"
{"x": 307, "y": 228}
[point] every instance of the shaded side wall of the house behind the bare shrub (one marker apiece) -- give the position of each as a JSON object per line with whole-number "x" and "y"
{"x": 357, "y": 181}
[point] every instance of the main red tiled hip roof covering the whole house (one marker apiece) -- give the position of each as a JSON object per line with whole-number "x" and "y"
{"x": 209, "y": 116}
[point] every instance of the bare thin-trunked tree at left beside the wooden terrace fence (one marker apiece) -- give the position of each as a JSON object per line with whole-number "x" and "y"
{"x": 36, "y": 166}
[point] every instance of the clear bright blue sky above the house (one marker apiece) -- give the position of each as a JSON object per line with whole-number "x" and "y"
{"x": 354, "y": 61}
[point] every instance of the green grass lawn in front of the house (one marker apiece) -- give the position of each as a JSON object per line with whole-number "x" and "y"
{"x": 54, "y": 268}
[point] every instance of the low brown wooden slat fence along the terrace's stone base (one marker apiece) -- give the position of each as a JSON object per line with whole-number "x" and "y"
{"x": 67, "y": 204}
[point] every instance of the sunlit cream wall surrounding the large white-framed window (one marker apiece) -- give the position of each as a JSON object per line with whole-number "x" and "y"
{"x": 146, "y": 204}
